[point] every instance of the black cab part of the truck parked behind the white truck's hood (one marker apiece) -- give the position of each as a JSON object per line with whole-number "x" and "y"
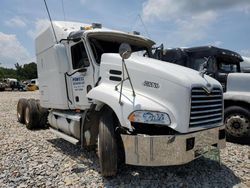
{"x": 221, "y": 62}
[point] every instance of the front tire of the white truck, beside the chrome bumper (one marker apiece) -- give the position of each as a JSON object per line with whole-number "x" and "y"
{"x": 107, "y": 146}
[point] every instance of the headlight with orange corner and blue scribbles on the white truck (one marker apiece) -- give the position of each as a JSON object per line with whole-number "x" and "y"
{"x": 150, "y": 117}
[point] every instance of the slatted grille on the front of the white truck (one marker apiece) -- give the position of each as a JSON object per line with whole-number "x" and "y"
{"x": 206, "y": 109}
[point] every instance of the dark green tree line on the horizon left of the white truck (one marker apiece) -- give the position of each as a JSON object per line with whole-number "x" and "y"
{"x": 20, "y": 72}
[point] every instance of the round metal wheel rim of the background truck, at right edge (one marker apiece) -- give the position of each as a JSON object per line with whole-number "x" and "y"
{"x": 237, "y": 125}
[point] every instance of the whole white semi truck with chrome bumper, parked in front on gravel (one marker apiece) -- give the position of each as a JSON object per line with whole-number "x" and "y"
{"x": 100, "y": 87}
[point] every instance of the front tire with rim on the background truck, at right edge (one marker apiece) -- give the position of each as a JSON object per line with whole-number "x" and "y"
{"x": 237, "y": 122}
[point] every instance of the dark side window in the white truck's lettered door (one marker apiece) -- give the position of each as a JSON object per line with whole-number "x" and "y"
{"x": 79, "y": 56}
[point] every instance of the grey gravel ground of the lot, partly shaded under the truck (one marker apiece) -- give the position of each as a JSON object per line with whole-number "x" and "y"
{"x": 40, "y": 159}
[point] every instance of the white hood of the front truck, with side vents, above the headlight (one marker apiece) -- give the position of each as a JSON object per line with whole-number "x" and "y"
{"x": 167, "y": 86}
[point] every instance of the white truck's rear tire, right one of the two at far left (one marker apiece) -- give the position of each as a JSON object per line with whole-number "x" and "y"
{"x": 31, "y": 118}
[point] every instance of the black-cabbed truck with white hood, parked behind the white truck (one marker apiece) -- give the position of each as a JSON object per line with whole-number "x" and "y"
{"x": 225, "y": 66}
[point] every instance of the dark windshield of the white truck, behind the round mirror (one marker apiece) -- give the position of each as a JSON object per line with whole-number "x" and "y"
{"x": 103, "y": 44}
